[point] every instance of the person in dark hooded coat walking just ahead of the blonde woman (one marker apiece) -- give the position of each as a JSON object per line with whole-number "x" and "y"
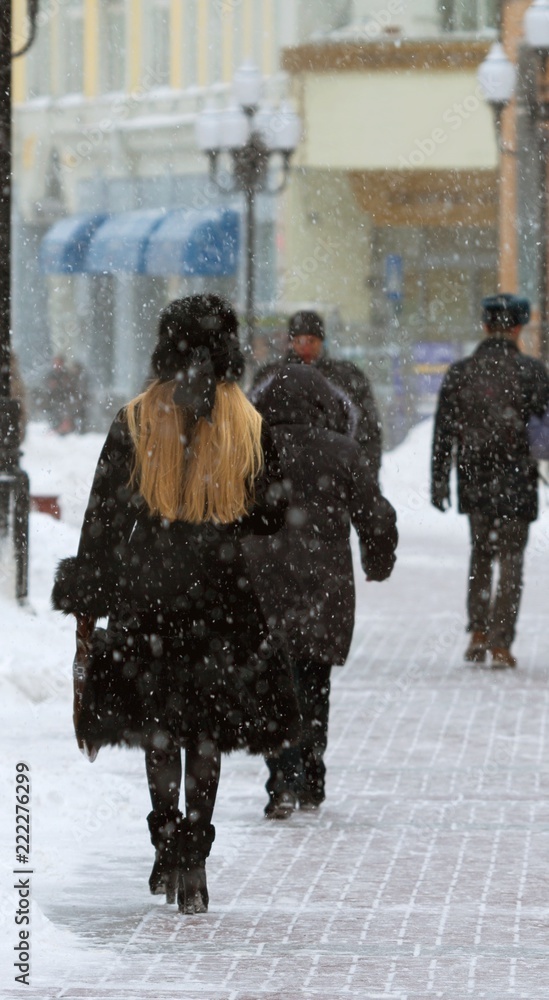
{"x": 304, "y": 574}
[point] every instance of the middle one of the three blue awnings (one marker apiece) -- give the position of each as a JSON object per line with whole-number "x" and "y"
{"x": 120, "y": 244}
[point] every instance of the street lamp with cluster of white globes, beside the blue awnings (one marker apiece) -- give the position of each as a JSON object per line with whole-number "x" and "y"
{"x": 250, "y": 136}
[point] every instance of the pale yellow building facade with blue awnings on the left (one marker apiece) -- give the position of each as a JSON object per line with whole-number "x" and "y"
{"x": 105, "y": 105}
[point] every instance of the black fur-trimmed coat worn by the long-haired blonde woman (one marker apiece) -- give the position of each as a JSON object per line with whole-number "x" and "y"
{"x": 187, "y": 653}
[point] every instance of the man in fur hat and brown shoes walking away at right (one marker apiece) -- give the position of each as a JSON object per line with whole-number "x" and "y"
{"x": 484, "y": 406}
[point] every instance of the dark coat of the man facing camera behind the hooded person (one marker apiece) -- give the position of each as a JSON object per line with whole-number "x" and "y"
{"x": 346, "y": 376}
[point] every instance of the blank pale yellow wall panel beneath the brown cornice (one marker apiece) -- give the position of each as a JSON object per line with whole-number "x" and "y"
{"x": 432, "y": 120}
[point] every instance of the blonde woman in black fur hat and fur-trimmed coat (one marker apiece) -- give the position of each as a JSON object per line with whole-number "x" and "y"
{"x": 187, "y": 470}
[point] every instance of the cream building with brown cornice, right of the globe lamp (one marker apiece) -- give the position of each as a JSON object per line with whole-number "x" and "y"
{"x": 395, "y": 199}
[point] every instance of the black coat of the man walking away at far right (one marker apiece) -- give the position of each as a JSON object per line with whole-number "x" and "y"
{"x": 484, "y": 405}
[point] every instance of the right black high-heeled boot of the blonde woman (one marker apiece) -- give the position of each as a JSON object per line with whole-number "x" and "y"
{"x": 195, "y": 845}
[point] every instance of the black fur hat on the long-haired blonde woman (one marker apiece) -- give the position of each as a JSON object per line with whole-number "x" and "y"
{"x": 199, "y": 325}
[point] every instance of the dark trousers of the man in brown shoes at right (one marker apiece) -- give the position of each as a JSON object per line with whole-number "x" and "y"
{"x": 495, "y": 610}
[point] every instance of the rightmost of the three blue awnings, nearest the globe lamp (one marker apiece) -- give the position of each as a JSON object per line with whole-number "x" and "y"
{"x": 194, "y": 242}
